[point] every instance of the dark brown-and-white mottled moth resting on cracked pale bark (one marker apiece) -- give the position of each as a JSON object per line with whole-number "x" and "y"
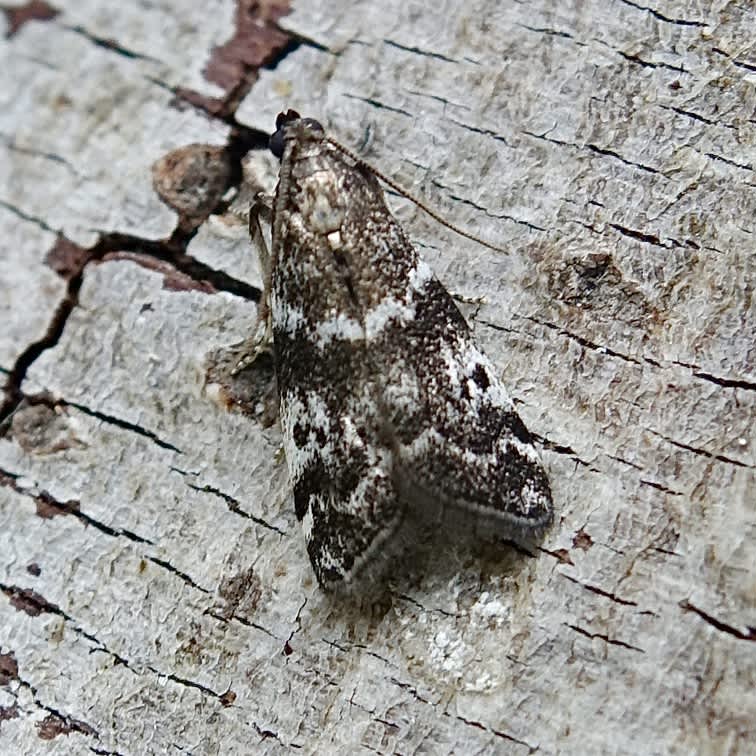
{"x": 385, "y": 401}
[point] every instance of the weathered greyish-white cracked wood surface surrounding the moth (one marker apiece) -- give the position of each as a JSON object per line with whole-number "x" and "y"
{"x": 155, "y": 594}
